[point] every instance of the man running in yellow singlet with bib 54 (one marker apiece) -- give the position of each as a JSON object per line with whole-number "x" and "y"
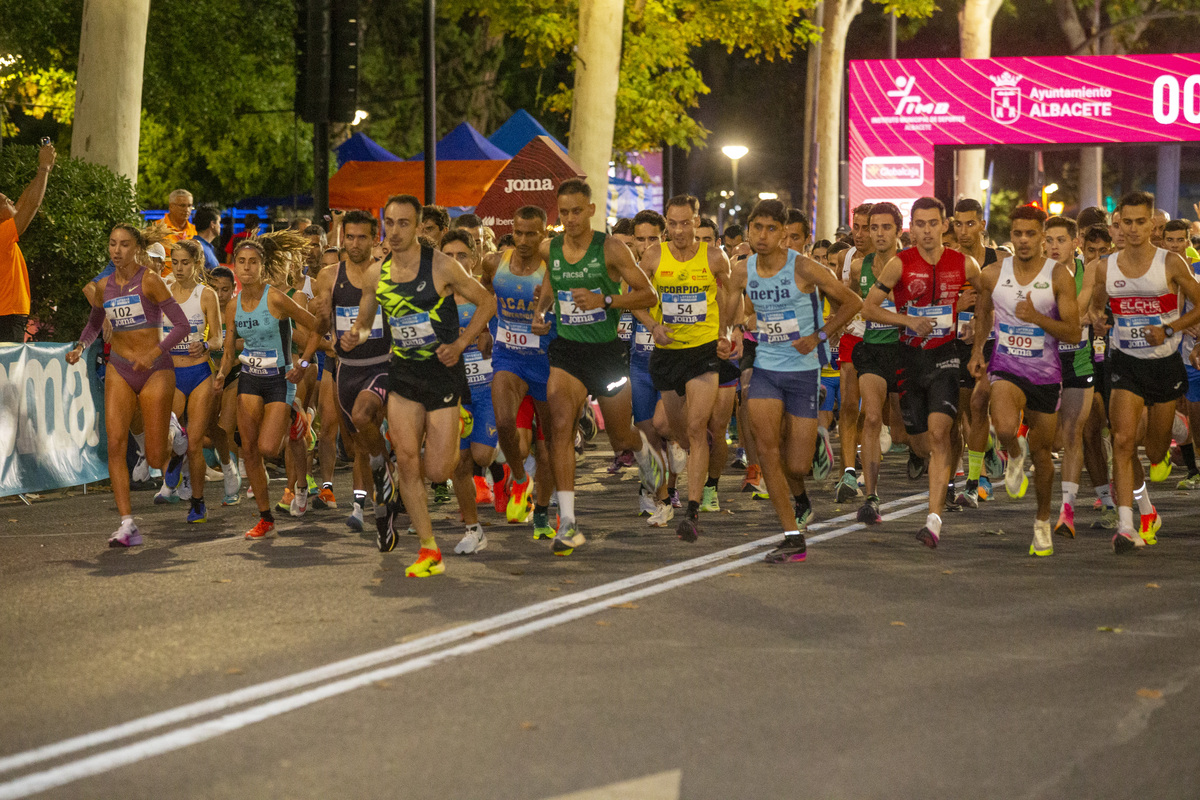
{"x": 689, "y": 341}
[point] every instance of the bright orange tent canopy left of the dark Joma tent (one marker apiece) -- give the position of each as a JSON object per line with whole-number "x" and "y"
{"x": 369, "y": 184}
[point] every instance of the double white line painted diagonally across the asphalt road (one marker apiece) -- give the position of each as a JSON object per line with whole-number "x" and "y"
{"x": 569, "y": 610}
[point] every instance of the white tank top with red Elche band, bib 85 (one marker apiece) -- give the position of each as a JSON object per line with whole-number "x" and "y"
{"x": 1138, "y": 304}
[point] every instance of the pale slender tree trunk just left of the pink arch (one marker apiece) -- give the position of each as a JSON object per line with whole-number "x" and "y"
{"x": 836, "y": 21}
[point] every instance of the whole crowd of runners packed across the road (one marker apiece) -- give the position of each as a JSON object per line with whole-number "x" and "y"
{"x": 429, "y": 356}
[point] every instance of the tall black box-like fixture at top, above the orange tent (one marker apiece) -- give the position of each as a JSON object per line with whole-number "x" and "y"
{"x": 327, "y": 61}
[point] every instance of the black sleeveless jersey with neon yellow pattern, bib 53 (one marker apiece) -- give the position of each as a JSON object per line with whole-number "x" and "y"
{"x": 421, "y": 320}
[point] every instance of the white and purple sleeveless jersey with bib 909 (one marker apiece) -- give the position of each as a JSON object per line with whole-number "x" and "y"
{"x": 1022, "y": 348}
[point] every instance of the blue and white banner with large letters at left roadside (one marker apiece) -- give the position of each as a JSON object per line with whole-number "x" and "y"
{"x": 52, "y": 419}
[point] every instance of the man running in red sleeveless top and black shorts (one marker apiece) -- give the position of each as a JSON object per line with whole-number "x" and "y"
{"x": 926, "y": 282}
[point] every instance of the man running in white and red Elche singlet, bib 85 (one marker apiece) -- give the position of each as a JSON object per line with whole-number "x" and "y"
{"x": 1142, "y": 286}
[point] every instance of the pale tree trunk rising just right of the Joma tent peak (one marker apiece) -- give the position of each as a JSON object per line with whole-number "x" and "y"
{"x": 595, "y": 110}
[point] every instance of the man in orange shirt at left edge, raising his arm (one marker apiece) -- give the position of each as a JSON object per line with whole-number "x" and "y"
{"x": 15, "y": 219}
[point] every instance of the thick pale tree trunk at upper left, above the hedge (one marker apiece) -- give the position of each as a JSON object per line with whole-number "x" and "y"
{"x": 109, "y": 94}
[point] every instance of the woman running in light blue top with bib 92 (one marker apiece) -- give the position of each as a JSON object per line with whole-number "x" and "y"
{"x": 262, "y": 317}
